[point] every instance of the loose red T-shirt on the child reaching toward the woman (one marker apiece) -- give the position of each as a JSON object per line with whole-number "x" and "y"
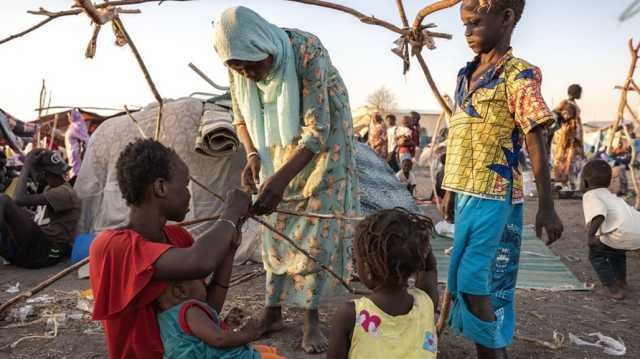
{"x": 121, "y": 269}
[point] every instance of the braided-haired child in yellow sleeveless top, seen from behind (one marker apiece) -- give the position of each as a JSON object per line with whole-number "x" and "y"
{"x": 395, "y": 321}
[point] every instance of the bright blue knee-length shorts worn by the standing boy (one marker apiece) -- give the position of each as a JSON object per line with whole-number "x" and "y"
{"x": 484, "y": 262}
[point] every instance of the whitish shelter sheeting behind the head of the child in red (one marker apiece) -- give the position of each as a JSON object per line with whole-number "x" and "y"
{"x": 102, "y": 203}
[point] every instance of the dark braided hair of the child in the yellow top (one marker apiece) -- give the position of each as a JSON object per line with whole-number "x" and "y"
{"x": 393, "y": 244}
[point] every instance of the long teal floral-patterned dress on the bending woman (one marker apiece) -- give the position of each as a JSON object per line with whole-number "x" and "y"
{"x": 327, "y": 185}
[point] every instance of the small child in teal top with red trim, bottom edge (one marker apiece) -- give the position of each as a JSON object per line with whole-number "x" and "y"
{"x": 190, "y": 327}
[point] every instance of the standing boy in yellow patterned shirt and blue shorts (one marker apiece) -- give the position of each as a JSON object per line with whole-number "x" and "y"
{"x": 498, "y": 108}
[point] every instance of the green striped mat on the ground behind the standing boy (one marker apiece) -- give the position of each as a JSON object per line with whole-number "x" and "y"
{"x": 539, "y": 267}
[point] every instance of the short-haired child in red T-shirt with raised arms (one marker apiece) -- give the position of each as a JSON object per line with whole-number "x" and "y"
{"x": 130, "y": 267}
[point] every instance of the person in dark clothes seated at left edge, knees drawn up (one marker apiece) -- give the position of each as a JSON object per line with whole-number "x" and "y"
{"x": 44, "y": 238}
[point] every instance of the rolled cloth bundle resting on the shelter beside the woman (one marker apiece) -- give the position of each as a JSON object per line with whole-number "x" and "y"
{"x": 216, "y": 134}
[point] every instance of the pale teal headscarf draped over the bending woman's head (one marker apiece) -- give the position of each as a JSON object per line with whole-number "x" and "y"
{"x": 271, "y": 107}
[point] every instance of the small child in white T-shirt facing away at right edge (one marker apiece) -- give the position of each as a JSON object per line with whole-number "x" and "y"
{"x": 612, "y": 225}
